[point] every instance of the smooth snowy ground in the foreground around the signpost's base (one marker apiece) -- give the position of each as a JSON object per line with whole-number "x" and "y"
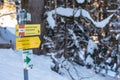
{"x": 11, "y": 68}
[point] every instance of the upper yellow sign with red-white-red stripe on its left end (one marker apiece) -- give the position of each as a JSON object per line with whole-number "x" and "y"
{"x": 28, "y": 29}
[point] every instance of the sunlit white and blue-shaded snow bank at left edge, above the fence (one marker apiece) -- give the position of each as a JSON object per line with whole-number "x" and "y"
{"x": 7, "y": 27}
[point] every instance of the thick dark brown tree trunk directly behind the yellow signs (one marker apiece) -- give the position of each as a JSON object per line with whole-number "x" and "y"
{"x": 36, "y": 9}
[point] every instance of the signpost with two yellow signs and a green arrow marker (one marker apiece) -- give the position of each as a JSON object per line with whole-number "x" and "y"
{"x": 24, "y": 43}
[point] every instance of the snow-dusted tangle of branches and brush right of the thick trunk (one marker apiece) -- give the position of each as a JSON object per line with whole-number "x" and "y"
{"x": 83, "y": 32}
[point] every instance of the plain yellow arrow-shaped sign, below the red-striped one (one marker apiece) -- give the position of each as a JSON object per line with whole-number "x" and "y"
{"x": 27, "y": 43}
